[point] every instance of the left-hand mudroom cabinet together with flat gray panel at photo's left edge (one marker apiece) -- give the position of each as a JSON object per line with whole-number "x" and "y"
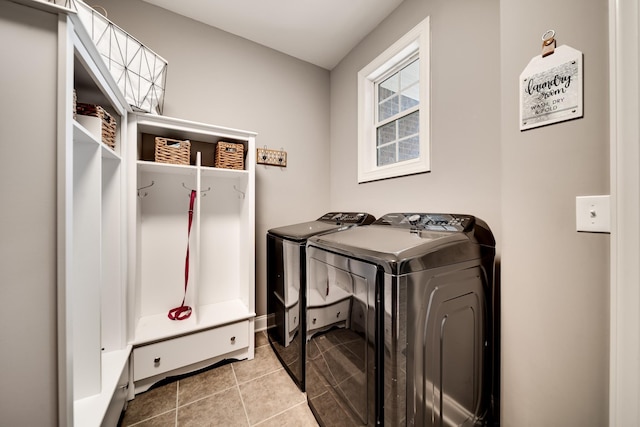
{"x": 67, "y": 193}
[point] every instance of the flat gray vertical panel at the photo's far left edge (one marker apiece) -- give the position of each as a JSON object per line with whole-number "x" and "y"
{"x": 28, "y": 359}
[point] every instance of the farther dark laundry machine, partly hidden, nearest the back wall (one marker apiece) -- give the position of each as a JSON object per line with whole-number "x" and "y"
{"x": 286, "y": 278}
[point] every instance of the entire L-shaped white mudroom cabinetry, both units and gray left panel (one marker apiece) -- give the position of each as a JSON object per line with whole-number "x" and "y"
{"x": 89, "y": 265}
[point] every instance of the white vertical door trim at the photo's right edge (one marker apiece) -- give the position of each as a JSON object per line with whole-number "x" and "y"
{"x": 624, "y": 380}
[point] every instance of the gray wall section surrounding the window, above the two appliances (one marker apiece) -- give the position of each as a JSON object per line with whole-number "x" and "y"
{"x": 465, "y": 115}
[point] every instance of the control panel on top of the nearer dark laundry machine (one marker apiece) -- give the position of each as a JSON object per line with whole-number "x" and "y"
{"x": 428, "y": 221}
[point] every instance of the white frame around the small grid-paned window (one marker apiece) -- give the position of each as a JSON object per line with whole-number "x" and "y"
{"x": 415, "y": 41}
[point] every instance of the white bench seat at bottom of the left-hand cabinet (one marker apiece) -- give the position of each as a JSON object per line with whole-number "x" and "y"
{"x": 91, "y": 410}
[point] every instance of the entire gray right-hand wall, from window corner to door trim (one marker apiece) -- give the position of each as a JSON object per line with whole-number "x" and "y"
{"x": 554, "y": 280}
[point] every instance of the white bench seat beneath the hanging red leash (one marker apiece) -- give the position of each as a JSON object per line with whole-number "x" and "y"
{"x": 159, "y": 327}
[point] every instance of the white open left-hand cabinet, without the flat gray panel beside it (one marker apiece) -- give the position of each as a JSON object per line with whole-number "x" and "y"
{"x": 95, "y": 199}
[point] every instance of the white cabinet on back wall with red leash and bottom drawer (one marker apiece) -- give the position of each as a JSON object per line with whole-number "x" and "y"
{"x": 221, "y": 274}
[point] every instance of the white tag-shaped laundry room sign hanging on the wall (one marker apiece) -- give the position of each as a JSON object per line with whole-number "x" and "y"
{"x": 551, "y": 88}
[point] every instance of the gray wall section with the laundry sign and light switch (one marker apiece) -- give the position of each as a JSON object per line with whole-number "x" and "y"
{"x": 555, "y": 281}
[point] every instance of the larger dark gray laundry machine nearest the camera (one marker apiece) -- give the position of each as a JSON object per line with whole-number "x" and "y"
{"x": 403, "y": 323}
